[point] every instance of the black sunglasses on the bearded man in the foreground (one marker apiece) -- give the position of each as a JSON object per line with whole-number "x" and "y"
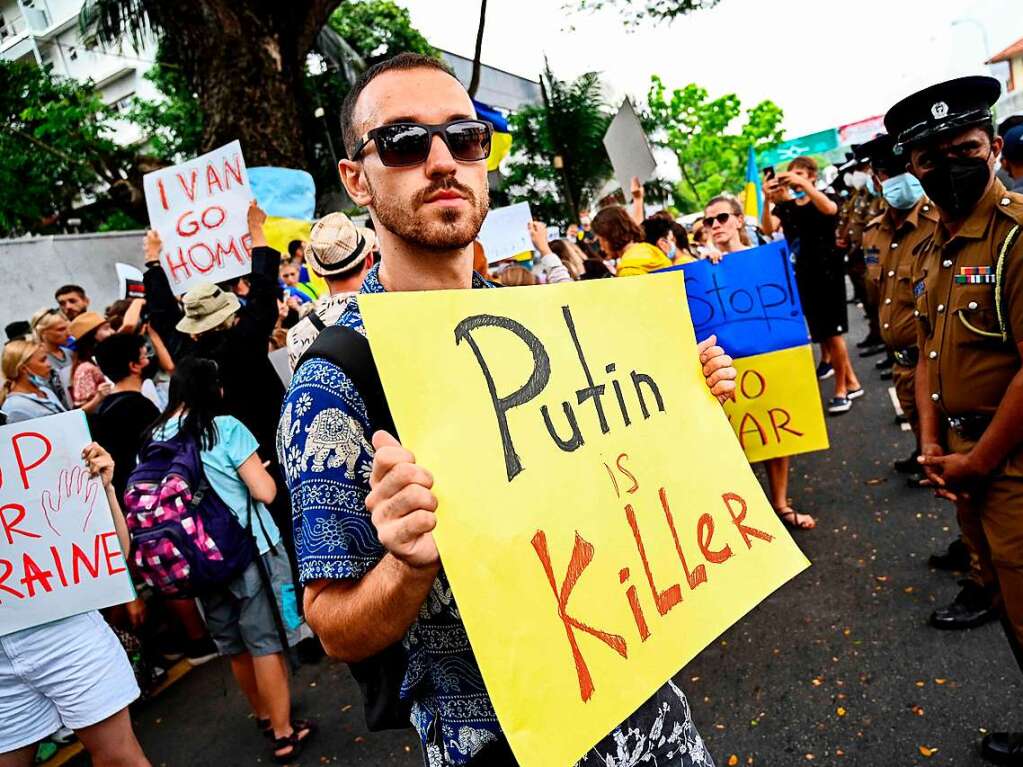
{"x": 402, "y": 145}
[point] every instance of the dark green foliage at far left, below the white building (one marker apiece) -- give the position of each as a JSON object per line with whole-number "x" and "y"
{"x": 56, "y": 149}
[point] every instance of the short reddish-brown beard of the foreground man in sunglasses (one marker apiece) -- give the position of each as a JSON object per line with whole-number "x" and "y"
{"x": 452, "y": 231}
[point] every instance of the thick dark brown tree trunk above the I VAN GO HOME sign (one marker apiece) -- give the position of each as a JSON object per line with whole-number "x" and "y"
{"x": 247, "y": 63}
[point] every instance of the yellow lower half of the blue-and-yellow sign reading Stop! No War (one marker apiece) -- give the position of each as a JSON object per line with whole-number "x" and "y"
{"x": 778, "y": 405}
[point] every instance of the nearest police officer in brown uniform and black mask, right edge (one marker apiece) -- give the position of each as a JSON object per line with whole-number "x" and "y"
{"x": 969, "y": 291}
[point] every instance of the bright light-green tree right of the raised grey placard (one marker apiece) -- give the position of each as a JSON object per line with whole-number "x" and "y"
{"x": 702, "y": 132}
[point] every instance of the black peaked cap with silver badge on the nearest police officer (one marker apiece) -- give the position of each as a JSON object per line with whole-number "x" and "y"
{"x": 960, "y": 104}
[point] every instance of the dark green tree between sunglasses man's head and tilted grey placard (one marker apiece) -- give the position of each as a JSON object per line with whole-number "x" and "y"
{"x": 571, "y": 125}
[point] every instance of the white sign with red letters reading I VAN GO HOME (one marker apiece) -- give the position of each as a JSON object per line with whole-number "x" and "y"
{"x": 200, "y": 208}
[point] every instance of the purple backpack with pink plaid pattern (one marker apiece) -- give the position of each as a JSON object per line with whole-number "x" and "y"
{"x": 185, "y": 539}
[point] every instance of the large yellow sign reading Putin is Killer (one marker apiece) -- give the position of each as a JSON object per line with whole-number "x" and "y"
{"x": 598, "y": 521}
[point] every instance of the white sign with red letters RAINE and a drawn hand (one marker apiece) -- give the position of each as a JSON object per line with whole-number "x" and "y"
{"x": 60, "y": 555}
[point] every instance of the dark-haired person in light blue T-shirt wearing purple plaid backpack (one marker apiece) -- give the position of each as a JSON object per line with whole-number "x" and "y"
{"x": 196, "y": 508}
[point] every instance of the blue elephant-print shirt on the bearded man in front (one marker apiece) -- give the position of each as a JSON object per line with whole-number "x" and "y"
{"x": 324, "y": 444}
